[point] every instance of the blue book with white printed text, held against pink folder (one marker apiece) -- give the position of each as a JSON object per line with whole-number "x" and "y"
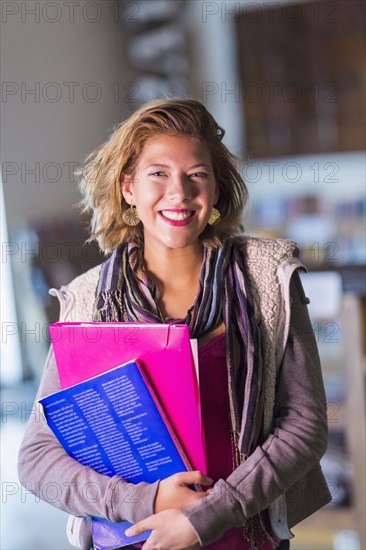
{"x": 114, "y": 424}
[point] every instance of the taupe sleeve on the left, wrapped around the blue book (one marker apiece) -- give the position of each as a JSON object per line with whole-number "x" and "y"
{"x": 45, "y": 469}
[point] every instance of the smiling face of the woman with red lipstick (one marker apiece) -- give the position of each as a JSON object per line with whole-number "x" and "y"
{"x": 174, "y": 190}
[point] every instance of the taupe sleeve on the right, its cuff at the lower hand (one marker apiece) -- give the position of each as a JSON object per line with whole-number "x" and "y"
{"x": 297, "y": 440}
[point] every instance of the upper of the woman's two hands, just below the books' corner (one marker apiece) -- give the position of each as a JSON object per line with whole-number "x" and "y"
{"x": 174, "y": 493}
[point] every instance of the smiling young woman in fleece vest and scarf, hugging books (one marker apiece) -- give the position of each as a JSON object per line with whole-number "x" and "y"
{"x": 167, "y": 201}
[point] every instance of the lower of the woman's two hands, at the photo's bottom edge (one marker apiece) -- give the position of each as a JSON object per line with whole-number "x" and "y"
{"x": 171, "y": 530}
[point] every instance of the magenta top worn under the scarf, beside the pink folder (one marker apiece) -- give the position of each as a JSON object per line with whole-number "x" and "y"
{"x": 215, "y": 407}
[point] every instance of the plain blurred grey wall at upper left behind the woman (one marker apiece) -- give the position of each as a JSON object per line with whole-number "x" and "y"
{"x": 70, "y": 56}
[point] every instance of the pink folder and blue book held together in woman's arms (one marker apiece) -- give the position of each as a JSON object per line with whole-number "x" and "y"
{"x": 129, "y": 405}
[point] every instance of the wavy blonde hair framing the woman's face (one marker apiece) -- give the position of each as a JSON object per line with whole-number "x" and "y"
{"x": 100, "y": 183}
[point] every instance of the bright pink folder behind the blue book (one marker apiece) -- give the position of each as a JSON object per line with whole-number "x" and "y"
{"x": 83, "y": 350}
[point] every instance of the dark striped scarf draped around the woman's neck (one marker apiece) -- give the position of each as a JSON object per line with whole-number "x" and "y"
{"x": 124, "y": 293}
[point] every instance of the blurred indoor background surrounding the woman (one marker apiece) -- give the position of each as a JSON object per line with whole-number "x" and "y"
{"x": 287, "y": 82}
